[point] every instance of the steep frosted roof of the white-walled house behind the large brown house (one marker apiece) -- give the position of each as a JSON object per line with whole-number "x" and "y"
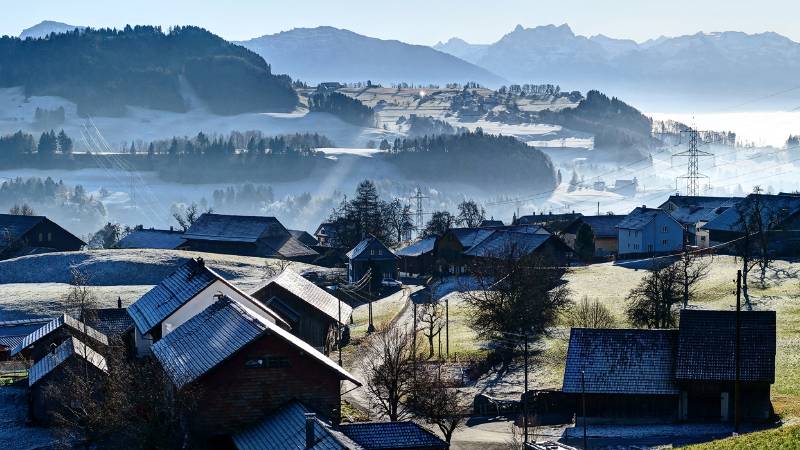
{"x": 178, "y": 288}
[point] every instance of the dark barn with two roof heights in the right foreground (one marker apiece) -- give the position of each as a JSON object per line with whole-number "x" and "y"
{"x": 674, "y": 375}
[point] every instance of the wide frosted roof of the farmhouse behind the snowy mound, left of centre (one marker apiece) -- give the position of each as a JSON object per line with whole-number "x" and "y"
{"x": 224, "y": 227}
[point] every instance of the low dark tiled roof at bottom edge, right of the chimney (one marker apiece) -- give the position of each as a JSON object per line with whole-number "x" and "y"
{"x": 391, "y": 435}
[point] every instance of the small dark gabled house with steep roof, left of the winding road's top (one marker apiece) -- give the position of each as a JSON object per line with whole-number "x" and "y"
{"x": 371, "y": 255}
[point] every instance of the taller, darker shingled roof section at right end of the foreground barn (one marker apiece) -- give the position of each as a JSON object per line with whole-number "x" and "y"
{"x": 706, "y": 349}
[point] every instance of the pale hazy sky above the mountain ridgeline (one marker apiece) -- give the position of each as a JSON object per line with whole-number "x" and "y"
{"x": 420, "y": 21}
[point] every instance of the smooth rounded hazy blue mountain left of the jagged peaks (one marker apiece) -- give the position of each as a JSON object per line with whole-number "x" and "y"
{"x": 330, "y": 54}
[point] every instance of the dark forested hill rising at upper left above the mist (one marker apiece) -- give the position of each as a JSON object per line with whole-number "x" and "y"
{"x": 104, "y": 70}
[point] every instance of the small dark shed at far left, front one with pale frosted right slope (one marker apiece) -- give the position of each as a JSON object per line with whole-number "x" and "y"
{"x": 48, "y": 374}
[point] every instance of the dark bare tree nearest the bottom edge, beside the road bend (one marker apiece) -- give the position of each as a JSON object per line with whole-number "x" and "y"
{"x": 436, "y": 401}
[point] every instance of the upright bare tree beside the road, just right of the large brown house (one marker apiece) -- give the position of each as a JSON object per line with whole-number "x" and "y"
{"x": 388, "y": 368}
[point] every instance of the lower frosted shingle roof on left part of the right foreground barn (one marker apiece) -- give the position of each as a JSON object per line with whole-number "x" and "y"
{"x": 619, "y": 361}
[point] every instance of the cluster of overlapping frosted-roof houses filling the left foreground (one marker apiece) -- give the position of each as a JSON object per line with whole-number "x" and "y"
{"x": 257, "y": 361}
